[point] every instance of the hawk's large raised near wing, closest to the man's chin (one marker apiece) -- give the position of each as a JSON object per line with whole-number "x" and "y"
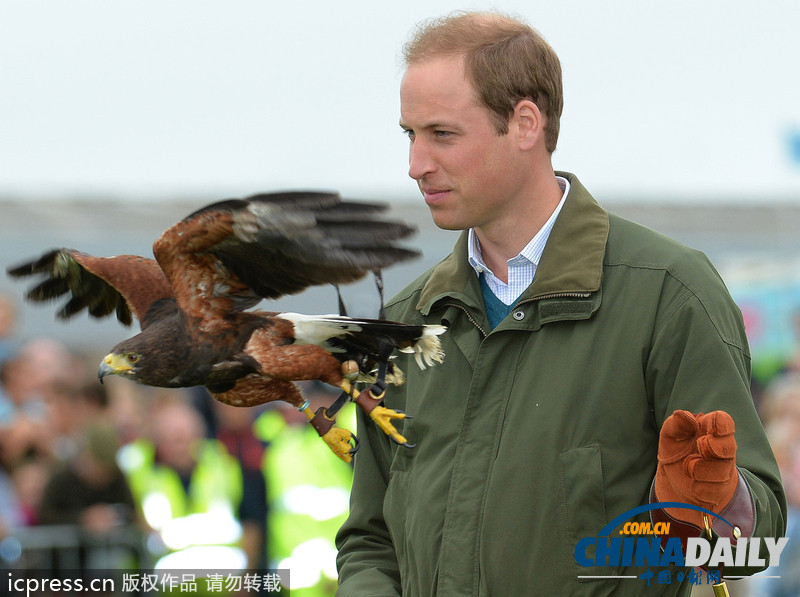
{"x": 228, "y": 255}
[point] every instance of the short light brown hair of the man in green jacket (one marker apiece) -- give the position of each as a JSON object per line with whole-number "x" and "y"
{"x": 506, "y": 61}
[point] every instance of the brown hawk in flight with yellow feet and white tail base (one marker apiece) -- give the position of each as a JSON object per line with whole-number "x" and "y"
{"x": 194, "y": 304}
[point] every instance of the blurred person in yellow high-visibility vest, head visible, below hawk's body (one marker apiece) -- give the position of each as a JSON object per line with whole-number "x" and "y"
{"x": 189, "y": 490}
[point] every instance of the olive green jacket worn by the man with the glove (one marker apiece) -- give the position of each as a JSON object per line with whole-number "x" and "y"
{"x": 534, "y": 435}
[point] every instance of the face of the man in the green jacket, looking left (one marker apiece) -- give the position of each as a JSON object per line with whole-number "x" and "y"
{"x": 468, "y": 174}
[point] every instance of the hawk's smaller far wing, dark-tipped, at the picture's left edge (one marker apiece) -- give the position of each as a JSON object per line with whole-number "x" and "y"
{"x": 101, "y": 285}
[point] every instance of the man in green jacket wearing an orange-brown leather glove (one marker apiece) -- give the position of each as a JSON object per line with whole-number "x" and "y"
{"x": 573, "y": 337}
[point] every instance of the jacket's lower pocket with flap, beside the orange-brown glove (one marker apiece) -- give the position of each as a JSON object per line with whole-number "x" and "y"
{"x": 583, "y": 503}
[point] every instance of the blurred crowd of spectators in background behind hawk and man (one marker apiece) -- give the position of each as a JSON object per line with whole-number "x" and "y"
{"x": 210, "y": 485}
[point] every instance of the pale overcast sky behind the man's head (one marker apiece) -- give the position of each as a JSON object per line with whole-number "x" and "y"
{"x": 155, "y": 98}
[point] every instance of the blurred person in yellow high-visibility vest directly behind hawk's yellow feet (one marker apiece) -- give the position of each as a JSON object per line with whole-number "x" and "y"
{"x": 308, "y": 491}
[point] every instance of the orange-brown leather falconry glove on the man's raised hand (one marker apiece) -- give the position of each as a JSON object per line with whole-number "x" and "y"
{"x": 696, "y": 463}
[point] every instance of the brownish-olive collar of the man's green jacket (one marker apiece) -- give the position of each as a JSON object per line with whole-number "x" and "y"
{"x": 572, "y": 261}
